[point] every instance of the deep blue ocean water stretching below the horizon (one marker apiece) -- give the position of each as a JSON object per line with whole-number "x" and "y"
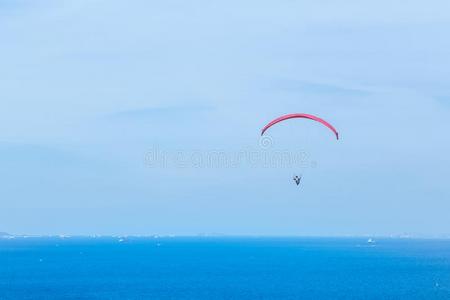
{"x": 224, "y": 268}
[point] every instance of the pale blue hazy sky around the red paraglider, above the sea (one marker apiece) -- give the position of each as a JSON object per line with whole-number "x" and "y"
{"x": 111, "y": 110}
